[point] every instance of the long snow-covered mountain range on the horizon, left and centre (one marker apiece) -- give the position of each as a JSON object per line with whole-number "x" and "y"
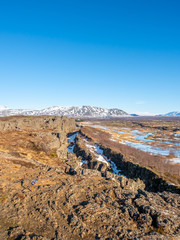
{"x": 77, "y": 112}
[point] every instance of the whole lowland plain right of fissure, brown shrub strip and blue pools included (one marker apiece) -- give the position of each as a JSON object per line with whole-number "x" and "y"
{"x": 153, "y": 143}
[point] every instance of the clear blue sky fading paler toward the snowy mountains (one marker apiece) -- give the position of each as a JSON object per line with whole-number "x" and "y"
{"x": 109, "y": 53}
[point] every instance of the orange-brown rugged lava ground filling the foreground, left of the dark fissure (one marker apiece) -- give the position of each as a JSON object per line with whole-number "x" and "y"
{"x": 48, "y": 192}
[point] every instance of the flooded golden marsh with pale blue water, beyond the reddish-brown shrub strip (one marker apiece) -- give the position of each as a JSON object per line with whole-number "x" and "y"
{"x": 145, "y": 137}
